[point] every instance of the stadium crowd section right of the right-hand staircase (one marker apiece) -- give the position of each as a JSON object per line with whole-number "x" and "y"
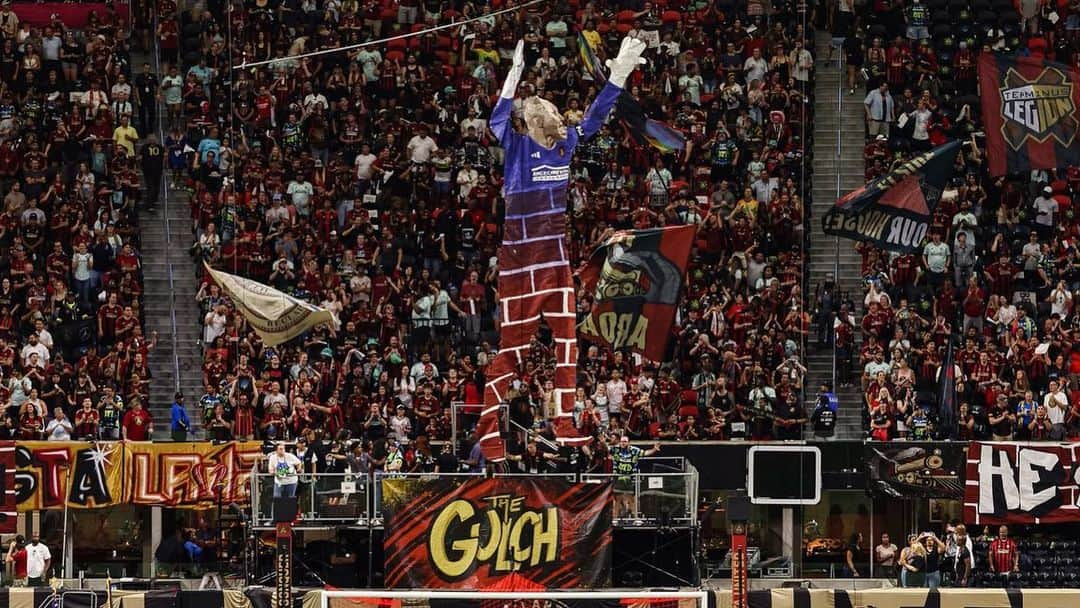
{"x": 1000, "y": 273}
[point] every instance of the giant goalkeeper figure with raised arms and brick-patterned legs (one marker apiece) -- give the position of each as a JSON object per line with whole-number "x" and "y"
{"x": 535, "y": 277}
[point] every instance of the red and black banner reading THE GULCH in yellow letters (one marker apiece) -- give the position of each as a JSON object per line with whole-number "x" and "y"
{"x": 453, "y": 534}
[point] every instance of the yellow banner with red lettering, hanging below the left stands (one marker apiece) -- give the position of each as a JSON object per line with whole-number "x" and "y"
{"x": 88, "y": 476}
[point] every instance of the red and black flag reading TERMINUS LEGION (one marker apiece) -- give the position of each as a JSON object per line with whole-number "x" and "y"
{"x": 1030, "y": 107}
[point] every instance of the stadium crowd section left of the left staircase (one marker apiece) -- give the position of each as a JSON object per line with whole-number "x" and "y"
{"x": 73, "y": 353}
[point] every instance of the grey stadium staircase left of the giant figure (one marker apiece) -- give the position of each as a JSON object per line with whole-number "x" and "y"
{"x": 169, "y": 307}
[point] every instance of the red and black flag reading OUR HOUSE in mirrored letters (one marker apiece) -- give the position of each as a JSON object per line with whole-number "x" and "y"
{"x": 895, "y": 211}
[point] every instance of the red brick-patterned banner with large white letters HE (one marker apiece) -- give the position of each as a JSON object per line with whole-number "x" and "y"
{"x": 1014, "y": 483}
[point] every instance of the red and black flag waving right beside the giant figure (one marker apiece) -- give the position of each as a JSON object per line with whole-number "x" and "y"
{"x": 638, "y": 278}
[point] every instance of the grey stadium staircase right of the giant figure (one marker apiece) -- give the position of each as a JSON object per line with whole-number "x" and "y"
{"x": 839, "y": 118}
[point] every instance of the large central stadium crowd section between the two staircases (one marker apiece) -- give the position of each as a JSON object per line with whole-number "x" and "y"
{"x": 368, "y": 183}
